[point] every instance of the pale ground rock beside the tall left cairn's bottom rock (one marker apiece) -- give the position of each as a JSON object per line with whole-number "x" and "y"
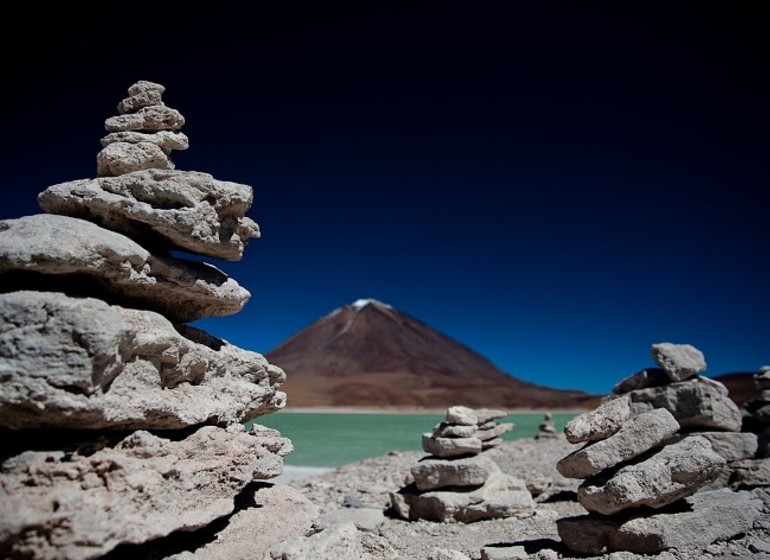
{"x": 279, "y": 513}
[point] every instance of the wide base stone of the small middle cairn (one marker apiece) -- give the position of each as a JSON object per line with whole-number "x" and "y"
{"x": 502, "y": 496}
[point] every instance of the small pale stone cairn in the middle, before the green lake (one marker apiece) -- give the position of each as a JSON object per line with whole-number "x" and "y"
{"x": 457, "y": 482}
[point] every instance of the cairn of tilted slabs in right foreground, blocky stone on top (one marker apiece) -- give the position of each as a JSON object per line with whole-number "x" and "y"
{"x": 653, "y": 448}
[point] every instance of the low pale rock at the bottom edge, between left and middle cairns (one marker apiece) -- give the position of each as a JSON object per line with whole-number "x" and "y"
{"x": 341, "y": 542}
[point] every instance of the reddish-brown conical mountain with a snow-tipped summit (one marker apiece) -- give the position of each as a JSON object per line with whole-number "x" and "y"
{"x": 368, "y": 354}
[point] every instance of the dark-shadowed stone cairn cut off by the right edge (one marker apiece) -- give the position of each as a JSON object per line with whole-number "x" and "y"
{"x": 755, "y": 471}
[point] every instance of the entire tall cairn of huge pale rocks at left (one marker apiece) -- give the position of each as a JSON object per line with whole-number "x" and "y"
{"x": 119, "y": 424}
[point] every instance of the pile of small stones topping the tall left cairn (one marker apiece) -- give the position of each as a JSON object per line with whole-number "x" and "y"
{"x": 142, "y": 135}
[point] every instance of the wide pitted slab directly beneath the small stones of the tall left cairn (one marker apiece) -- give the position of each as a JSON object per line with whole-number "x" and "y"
{"x": 184, "y": 210}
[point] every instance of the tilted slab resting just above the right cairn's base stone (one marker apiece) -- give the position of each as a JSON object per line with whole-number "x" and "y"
{"x": 675, "y": 471}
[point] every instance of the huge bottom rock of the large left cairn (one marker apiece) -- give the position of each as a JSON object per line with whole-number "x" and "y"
{"x": 57, "y": 505}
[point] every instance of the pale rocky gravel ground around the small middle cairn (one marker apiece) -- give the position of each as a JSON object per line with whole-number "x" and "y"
{"x": 359, "y": 493}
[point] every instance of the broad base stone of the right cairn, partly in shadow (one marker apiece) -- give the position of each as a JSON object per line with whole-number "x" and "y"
{"x": 707, "y": 517}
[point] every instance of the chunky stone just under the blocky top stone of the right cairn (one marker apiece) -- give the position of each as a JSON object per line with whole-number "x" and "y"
{"x": 699, "y": 403}
